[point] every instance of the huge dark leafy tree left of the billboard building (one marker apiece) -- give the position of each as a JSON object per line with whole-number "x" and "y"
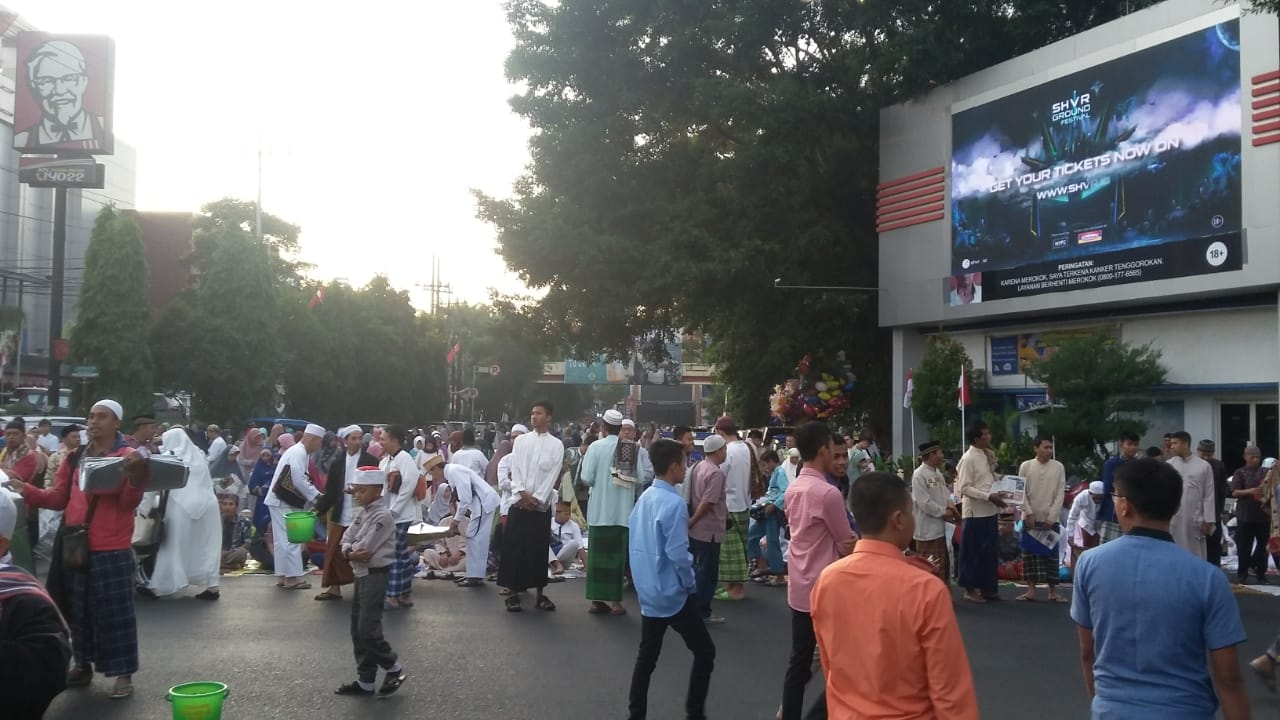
{"x": 687, "y": 154}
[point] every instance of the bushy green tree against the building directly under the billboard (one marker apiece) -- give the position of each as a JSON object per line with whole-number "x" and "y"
{"x": 1099, "y": 382}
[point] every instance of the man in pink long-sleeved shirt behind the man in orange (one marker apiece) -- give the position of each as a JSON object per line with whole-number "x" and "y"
{"x": 820, "y": 536}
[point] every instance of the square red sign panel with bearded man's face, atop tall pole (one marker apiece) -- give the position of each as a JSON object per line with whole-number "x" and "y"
{"x": 63, "y": 102}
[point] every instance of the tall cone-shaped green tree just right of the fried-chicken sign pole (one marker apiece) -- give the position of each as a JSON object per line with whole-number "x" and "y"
{"x": 112, "y": 327}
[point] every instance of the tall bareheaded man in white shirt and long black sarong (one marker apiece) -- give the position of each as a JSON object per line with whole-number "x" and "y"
{"x": 537, "y": 462}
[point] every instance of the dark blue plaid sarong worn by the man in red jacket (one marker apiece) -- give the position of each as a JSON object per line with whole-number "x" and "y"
{"x": 103, "y": 621}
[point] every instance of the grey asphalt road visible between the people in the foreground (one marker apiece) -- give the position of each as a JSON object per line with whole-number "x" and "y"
{"x": 284, "y": 654}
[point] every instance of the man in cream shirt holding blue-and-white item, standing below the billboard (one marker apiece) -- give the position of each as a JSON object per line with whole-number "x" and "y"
{"x": 1043, "y": 513}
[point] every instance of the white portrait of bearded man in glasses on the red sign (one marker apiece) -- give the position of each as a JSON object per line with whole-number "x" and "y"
{"x": 58, "y": 78}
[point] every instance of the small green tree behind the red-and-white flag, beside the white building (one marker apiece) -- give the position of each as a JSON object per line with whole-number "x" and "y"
{"x": 936, "y": 389}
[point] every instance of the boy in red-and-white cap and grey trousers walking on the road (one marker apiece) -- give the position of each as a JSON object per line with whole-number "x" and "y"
{"x": 371, "y": 546}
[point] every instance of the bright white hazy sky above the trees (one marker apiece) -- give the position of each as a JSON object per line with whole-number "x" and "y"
{"x": 376, "y": 120}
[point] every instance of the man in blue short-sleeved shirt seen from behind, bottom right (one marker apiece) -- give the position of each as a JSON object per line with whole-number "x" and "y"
{"x": 1149, "y": 613}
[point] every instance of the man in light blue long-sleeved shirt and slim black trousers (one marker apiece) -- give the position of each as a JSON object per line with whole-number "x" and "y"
{"x": 662, "y": 572}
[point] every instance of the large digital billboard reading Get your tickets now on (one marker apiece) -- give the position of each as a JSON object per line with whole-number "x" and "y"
{"x": 1126, "y": 172}
